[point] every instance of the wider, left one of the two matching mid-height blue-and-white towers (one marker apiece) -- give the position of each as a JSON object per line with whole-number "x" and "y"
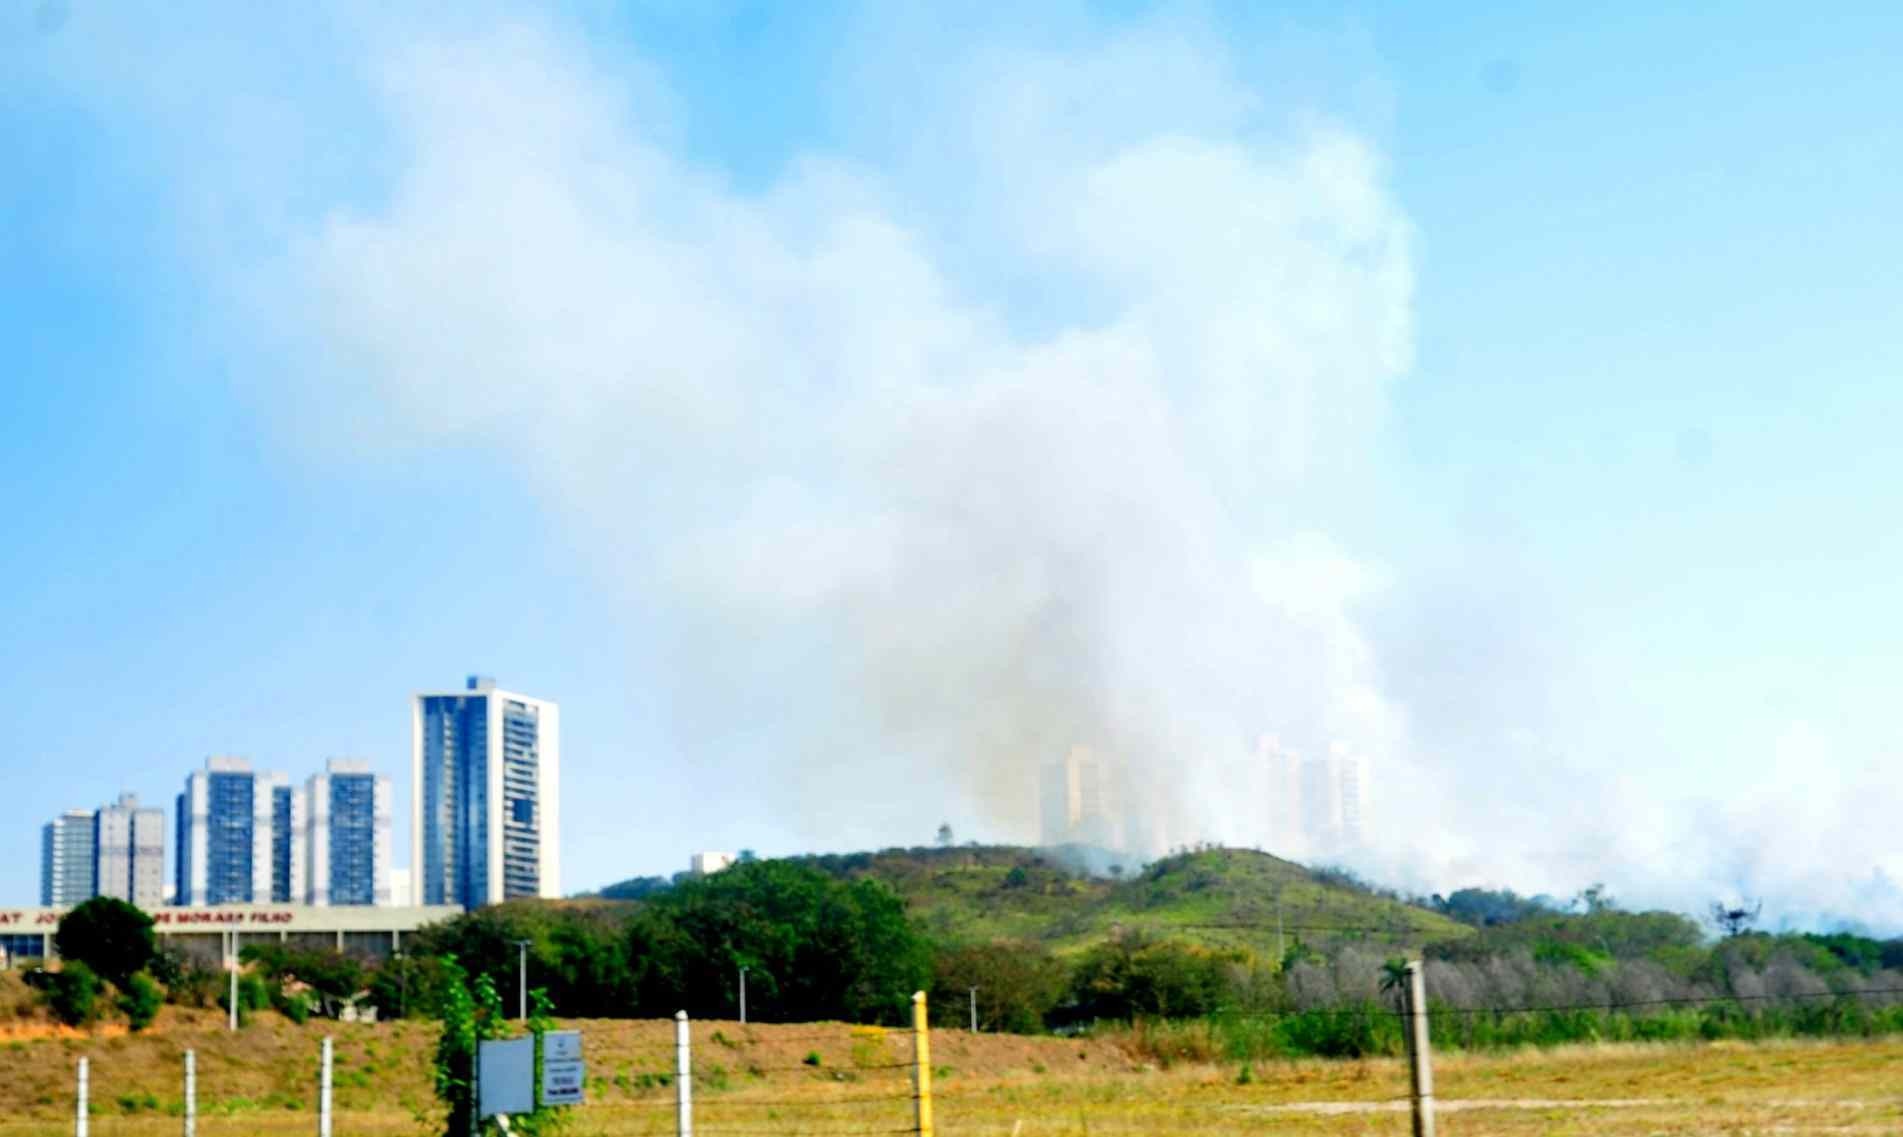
{"x": 237, "y": 841}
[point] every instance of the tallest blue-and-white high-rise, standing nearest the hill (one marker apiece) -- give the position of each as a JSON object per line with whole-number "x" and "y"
{"x": 486, "y": 814}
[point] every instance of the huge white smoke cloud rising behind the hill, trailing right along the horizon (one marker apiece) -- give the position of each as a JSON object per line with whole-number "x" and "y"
{"x": 1061, "y": 429}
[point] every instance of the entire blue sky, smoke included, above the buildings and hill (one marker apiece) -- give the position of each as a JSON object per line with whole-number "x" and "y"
{"x": 1603, "y": 532}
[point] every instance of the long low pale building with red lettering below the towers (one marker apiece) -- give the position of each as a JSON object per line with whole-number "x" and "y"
{"x": 201, "y": 932}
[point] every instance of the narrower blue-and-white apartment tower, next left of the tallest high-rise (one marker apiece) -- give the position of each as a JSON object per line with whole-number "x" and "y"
{"x": 349, "y": 837}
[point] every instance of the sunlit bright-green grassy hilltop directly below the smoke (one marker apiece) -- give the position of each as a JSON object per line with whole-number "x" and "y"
{"x": 966, "y": 894}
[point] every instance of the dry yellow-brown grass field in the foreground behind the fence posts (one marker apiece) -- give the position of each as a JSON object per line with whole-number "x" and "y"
{"x": 829, "y": 1079}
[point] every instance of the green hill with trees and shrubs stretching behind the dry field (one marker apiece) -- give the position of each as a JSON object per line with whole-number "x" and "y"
{"x": 1187, "y": 953}
